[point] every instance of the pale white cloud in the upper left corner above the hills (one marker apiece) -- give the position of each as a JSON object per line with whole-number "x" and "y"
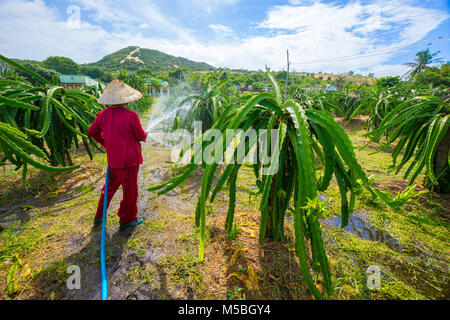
{"x": 33, "y": 30}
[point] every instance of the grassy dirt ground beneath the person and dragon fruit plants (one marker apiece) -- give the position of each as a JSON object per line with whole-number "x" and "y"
{"x": 46, "y": 226}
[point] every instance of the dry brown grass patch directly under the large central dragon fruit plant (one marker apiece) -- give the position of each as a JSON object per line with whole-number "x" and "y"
{"x": 241, "y": 267}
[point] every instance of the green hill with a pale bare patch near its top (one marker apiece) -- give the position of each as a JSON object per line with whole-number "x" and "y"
{"x": 133, "y": 58}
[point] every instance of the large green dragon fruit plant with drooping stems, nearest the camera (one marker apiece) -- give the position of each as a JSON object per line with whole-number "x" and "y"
{"x": 306, "y": 139}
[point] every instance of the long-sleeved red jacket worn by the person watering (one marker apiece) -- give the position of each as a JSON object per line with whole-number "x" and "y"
{"x": 120, "y": 131}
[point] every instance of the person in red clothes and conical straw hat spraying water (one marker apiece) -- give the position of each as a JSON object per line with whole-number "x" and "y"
{"x": 120, "y": 131}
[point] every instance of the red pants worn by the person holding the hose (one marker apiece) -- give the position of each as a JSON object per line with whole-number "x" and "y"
{"x": 127, "y": 178}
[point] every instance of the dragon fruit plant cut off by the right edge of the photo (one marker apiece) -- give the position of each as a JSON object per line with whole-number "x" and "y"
{"x": 420, "y": 126}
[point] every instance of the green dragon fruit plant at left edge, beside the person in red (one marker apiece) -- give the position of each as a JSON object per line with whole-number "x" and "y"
{"x": 40, "y": 124}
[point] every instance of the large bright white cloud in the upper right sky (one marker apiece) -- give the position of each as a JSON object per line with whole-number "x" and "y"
{"x": 320, "y": 31}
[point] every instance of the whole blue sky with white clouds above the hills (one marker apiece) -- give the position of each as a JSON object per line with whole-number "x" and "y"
{"x": 330, "y": 36}
